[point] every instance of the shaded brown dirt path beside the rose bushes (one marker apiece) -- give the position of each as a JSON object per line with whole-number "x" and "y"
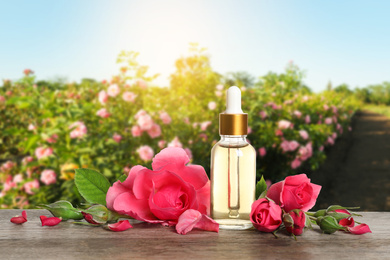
{"x": 357, "y": 170}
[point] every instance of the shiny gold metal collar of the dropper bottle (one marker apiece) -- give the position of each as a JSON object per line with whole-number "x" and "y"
{"x": 233, "y": 124}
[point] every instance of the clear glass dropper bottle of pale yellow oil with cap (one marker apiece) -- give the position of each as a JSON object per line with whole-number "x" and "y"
{"x": 233, "y": 168}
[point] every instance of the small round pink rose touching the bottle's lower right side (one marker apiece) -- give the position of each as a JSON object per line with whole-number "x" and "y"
{"x": 265, "y": 215}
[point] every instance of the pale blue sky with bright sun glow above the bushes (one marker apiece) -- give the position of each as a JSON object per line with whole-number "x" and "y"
{"x": 337, "y": 41}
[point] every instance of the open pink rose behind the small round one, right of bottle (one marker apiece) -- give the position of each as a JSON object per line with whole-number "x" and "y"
{"x": 295, "y": 192}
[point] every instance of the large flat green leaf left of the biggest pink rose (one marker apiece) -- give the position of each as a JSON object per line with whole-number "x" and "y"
{"x": 92, "y": 185}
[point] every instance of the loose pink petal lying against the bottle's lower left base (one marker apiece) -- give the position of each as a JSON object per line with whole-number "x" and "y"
{"x": 194, "y": 219}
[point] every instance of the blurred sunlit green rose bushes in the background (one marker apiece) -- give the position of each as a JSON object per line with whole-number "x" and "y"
{"x": 42, "y": 115}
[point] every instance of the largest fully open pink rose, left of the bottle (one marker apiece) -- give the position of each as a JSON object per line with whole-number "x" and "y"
{"x": 161, "y": 195}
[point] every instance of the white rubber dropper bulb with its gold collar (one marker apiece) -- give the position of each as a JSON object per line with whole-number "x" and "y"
{"x": 233, "y": 121}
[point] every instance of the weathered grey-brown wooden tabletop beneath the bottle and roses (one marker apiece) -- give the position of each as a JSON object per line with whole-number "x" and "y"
{"x": 69, "y": 241}
